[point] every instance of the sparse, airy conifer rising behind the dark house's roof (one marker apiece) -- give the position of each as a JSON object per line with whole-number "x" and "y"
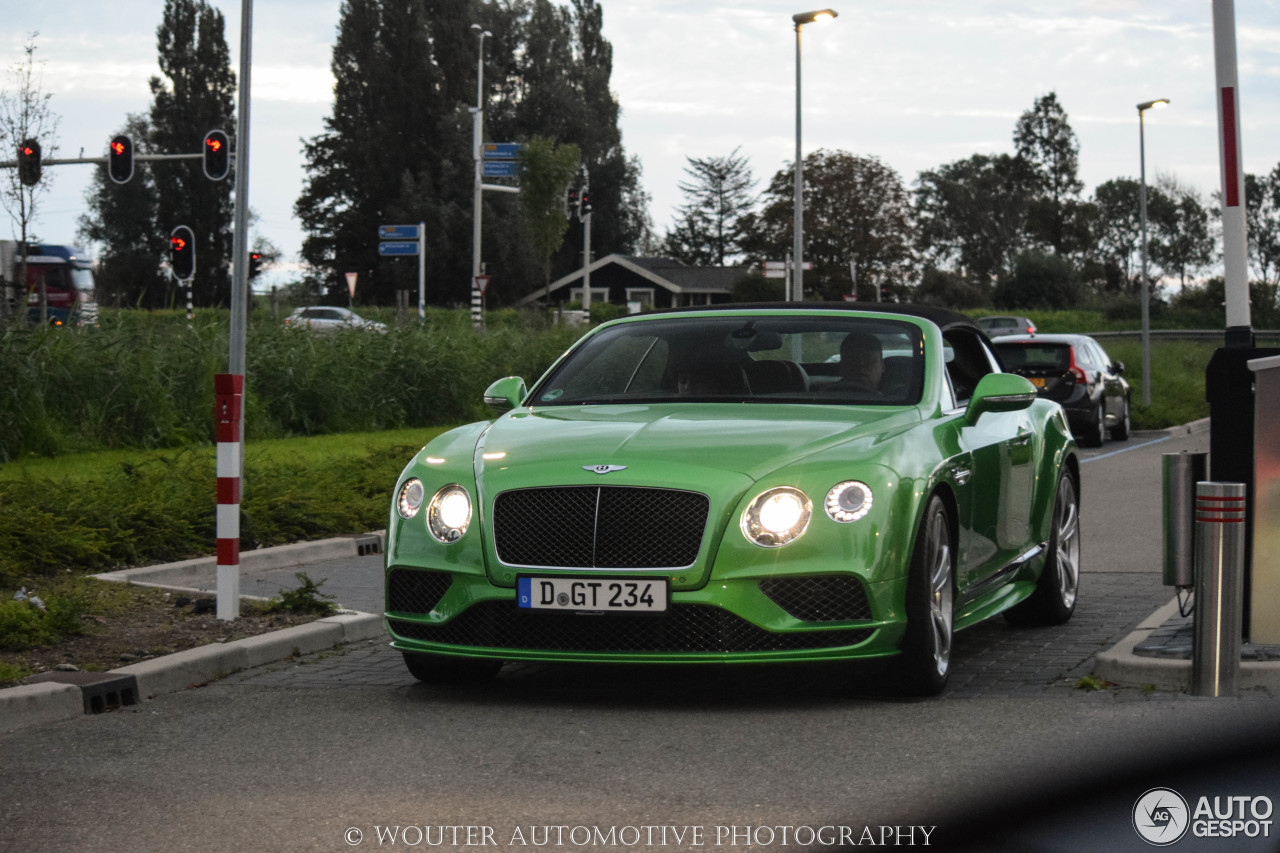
{"x": 712, "y": 223}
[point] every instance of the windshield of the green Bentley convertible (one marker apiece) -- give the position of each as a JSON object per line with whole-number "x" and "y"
{"x": 744, "y": 359}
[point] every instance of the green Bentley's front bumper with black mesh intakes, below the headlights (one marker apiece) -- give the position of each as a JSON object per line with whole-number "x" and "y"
{"x": 740, "y": 621}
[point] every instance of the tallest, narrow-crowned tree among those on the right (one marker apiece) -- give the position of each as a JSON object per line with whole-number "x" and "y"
{"x": 1046, "y": 144}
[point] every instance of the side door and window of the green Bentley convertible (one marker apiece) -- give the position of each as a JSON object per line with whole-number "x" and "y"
{"x": 1002, "y": 472}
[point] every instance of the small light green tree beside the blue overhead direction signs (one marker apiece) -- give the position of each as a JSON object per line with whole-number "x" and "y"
{"x": 546, "y": 174}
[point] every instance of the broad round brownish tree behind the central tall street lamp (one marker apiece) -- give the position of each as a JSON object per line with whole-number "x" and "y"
{"x": 857, "y": 211}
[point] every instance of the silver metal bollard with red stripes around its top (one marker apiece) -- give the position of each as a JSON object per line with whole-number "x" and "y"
{"x": 1219, "y": 589}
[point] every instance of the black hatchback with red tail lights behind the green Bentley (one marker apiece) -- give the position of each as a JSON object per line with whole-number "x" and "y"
{"x": 1076, "y": 372}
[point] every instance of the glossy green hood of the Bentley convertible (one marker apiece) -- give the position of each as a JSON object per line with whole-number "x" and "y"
{"x": 669, "y": 445}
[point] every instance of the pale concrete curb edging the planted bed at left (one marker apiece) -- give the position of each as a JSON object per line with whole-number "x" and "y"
{"x": 30, "y": 705}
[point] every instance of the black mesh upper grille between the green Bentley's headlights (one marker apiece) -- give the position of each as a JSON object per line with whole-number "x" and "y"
{"x": 600, "y": 527}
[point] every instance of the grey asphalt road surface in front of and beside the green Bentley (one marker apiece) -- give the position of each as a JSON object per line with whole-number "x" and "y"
{"x": 344, "y": 746}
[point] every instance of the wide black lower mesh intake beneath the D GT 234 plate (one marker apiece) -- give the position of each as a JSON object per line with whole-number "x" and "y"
{"x": 684, "y": 628}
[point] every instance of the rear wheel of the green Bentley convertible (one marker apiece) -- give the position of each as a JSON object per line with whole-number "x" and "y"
{"x": 1054, "y": 600}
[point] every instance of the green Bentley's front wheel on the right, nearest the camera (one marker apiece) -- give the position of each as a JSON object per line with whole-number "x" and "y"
{"x": 926, "y": 662}
